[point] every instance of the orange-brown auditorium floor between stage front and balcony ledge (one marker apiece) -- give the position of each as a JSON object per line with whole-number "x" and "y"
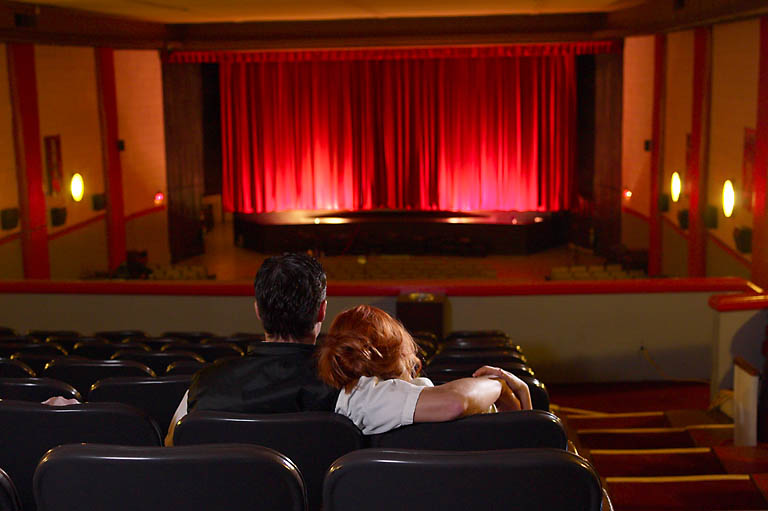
{"x": 231, "y": 263}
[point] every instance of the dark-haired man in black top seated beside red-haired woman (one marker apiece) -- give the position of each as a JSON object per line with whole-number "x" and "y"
{"x": 279, "y": 375}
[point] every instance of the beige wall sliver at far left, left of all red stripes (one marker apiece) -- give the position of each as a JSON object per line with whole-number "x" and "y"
{"x": 9, "y": 191}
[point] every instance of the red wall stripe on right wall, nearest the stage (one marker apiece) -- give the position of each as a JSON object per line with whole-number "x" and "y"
{"x": 657, "y": 133}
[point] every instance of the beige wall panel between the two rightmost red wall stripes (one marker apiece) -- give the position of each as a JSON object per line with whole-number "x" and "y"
{"x": 735, "y": 56}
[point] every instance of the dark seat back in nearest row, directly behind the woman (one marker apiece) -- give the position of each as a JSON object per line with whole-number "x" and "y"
{"x": 515, "y": 479}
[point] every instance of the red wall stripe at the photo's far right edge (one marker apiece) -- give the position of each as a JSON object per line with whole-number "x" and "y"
{"x": 760, "y": 220}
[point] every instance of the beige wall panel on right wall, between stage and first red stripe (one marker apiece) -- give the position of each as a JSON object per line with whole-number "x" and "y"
{"x": 636, "y": 123}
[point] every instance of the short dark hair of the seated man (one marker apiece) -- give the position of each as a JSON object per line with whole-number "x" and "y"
{"x": 289, "y": 292}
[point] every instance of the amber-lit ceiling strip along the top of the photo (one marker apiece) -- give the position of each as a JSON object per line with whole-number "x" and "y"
{"x": 208, "y": 11}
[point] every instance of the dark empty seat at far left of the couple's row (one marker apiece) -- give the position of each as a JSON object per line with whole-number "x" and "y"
{"x": 30, "y": 429}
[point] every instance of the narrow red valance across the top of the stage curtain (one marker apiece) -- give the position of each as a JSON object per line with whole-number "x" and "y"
{"x": 462, "y": 52}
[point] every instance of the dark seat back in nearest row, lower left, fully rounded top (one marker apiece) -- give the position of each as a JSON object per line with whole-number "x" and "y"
{"x": 201, "y": 477}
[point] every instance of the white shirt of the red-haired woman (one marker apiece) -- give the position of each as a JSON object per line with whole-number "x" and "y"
{"x": 377, "y": 406}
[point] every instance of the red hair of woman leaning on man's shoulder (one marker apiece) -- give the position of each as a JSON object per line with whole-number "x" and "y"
{"x": 366, "y": 341}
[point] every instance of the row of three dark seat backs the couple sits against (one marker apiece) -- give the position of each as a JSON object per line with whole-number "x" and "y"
{"x": 312, "y": 440}
